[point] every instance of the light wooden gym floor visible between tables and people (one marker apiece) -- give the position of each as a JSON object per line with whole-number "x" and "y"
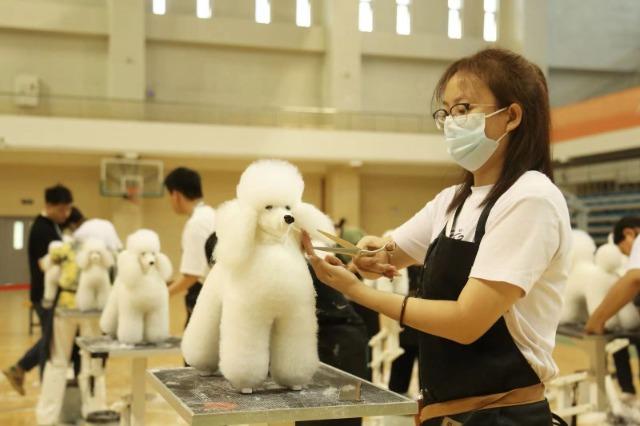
{"x": 14, "y": 340}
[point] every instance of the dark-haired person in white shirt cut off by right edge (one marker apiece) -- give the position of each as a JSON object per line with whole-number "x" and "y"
{"x": 625, "y": 236}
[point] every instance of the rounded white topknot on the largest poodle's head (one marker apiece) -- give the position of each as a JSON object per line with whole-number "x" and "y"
{"x": 274, "y": 182}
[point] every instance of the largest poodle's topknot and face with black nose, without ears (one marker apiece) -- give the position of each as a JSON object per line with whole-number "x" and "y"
{"x": 273, "y": 188}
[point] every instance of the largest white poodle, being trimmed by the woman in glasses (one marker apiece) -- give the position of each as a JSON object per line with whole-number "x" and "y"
{"x": 256, "y": 311}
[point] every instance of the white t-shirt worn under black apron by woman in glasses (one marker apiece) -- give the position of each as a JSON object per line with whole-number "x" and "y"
{"x": 526, "y": 243}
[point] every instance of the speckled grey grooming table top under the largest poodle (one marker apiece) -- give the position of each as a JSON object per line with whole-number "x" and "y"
{"x": 210, "y": 400}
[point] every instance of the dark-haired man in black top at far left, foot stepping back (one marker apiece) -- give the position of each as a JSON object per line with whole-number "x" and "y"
{"x": 45, "y": 229}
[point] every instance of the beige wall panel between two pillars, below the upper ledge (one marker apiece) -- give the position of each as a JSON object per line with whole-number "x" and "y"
{"x": 223, "y": 76}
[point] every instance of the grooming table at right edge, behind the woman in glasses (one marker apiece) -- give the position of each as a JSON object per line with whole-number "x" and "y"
{"x": 594, "y": 346}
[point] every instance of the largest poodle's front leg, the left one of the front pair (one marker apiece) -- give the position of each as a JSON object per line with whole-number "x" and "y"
{"x": 244, "y": 346}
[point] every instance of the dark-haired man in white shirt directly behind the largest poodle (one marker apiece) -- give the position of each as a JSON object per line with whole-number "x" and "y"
{"x": 185, "y": 194}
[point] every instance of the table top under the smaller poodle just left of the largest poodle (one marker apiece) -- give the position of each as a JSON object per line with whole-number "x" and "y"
{"x": 106, "y": 344}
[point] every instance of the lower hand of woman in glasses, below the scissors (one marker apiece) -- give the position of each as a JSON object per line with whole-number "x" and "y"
{"x": 331, "y": 271}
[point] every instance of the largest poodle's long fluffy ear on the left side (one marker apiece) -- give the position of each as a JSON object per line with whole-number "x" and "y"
{"x": 236, "y": 231}
